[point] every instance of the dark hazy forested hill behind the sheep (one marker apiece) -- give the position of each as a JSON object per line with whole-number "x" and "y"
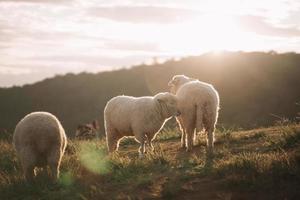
{"x": 255, "y": 89}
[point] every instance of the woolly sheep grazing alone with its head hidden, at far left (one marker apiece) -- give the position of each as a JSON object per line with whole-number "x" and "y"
{"x": 39, "y": 140}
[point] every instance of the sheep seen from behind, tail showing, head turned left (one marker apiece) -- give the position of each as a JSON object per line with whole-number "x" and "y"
{"x": 198, "y": 103}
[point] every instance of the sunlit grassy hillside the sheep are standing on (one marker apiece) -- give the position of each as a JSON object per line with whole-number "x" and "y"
{"x": 257, "y": 164}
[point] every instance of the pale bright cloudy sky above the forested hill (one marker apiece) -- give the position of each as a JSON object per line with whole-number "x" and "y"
{"x": 43, "y": 38}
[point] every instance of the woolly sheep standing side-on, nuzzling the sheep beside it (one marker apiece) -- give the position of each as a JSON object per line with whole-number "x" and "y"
{"x": 141, "y": 117}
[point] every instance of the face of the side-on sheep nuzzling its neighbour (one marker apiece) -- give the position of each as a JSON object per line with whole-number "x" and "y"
{"x": 168, "y": 104}
